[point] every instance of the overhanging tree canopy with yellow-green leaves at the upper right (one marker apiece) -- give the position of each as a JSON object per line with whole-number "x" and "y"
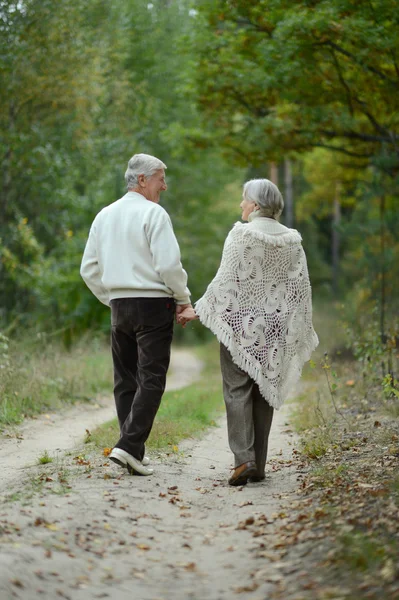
{"x": 278, "y": 76}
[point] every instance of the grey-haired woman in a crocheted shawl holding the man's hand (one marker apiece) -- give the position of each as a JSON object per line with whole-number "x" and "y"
{"x": 259, "y": 307}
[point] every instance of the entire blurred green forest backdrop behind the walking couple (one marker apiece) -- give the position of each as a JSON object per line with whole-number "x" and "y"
{"x": 305, "y": 93}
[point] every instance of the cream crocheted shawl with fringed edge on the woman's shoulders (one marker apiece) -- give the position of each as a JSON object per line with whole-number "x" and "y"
{"x": 259, "y": 305}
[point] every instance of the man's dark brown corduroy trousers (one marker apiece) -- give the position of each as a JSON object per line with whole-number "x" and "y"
{"x": 141, "y": 337}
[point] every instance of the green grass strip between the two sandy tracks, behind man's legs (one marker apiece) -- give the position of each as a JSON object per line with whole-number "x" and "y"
{"x": 183, "y": 413}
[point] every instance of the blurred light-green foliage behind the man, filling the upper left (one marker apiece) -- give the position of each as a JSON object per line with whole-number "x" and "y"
{"x": 86, "y": 85}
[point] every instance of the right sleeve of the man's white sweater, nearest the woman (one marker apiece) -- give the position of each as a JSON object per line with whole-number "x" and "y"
{"x": 167, "y": 260}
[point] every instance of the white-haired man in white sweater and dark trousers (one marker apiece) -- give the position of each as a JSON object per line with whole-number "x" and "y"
{"x": 132, "y": 263}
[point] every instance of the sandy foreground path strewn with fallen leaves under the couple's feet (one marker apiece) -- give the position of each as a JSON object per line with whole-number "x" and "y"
{"x": 82, "y": 529}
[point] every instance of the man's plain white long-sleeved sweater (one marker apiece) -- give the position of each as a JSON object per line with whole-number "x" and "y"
{"x": 132, "y": 252}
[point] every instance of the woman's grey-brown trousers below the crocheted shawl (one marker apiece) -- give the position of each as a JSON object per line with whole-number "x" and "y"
{"x": 249, "y": 416}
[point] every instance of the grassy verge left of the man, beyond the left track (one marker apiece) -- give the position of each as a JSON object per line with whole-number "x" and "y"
{"x": 44, "y": 376}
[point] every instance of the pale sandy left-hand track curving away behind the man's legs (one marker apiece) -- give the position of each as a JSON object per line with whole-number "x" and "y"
{"x": 64, "y": 430}
